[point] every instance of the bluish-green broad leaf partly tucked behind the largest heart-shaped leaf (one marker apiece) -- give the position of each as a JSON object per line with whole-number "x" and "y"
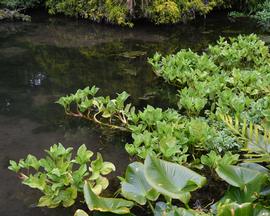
{"x": 135, "y": 186}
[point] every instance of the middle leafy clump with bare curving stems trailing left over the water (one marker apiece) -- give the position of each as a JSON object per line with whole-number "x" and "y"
{"x": 164, "y": 133}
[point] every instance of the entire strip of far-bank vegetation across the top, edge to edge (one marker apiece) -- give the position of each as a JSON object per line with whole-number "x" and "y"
{"x": 124, "y": 13}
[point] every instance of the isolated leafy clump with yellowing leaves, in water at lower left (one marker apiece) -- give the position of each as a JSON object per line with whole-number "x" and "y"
{"x": 59, "y": 177}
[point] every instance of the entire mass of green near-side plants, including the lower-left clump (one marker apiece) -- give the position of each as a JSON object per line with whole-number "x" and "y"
{"x": 216, "y": 140}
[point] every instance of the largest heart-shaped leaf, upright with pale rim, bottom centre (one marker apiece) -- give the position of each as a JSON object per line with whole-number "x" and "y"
{"x": 172, "y": 179}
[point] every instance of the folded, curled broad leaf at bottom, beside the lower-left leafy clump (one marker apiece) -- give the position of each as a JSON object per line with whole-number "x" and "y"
{"x": 115, "y": 205}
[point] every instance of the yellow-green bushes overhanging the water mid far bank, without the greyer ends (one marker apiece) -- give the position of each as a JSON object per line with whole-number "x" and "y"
{"x": 123, "y": 12}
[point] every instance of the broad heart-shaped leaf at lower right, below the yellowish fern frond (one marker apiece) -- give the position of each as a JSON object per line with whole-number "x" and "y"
{"x": 239, "y": 176}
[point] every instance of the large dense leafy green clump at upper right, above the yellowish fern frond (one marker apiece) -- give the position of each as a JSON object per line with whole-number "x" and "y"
{"x": 230, "y": 78}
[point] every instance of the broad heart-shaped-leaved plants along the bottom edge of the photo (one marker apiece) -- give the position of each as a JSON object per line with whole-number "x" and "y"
{"x": 144, "y": 183}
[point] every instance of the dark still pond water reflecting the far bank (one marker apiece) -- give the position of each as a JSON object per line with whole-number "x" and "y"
{"x": 51, "y": 56}
